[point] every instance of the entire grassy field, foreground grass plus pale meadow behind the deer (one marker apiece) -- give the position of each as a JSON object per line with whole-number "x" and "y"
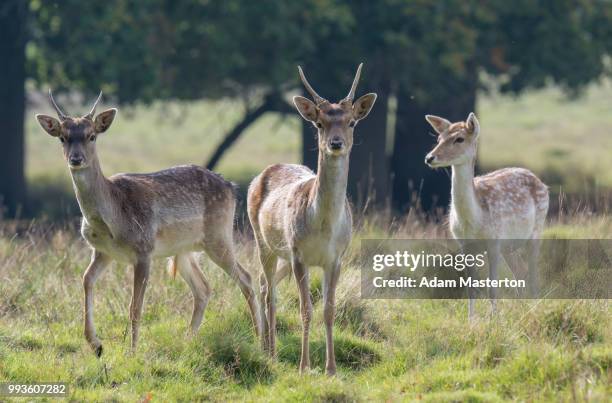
{"x": 414, "y": 350}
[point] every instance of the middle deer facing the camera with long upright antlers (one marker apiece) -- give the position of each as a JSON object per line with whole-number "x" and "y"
{"x": 302, "y": 219}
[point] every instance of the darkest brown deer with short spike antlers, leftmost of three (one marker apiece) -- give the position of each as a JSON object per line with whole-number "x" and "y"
{"x": 135, "y": 218}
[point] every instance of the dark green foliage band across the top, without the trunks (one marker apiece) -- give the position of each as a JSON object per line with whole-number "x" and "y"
{"x": 194, "y": 49}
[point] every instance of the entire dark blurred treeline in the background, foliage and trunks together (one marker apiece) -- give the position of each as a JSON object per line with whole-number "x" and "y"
{"x": 429, "y": 56}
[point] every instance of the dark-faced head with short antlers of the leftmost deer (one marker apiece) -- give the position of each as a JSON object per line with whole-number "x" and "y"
{"x": 77, "y": 134}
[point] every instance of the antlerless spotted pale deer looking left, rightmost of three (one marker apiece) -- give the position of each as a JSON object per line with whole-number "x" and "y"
{"x": 509, "y": 203}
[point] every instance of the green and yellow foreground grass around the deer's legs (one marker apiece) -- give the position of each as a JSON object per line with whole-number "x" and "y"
{"x": 389, "y": 350}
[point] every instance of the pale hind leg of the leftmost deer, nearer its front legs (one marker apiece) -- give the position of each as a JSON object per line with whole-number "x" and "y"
{"x": 200, "y": 288}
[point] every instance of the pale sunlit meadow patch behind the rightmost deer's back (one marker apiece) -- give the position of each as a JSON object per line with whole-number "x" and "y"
{"x": 566, "y": 142}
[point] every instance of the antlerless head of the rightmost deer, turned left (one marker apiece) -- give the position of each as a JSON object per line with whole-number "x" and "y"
{"x": 457, "y": 142}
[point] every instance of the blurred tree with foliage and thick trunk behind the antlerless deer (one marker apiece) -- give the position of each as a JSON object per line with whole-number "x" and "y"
{"x": 435, "y": 53}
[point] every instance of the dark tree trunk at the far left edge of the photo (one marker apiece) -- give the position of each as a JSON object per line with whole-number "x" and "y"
{"x": 12, "y": 105}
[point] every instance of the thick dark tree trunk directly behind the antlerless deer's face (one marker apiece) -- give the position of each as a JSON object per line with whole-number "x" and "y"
{"x": 415, "y": 184}
